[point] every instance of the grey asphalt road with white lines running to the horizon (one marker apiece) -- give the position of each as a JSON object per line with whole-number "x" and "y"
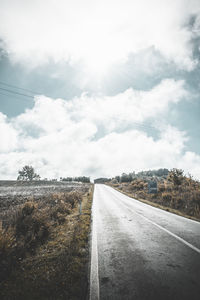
{"x": 141, "y": 252}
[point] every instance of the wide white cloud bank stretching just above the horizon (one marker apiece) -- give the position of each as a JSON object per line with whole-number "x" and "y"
{"x": 97, "y": 136}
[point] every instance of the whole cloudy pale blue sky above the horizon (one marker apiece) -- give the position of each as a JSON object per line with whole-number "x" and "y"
{"x": 98, "y": 88}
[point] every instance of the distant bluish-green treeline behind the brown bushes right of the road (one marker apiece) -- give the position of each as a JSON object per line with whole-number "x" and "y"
{"x": 131, "y": 176}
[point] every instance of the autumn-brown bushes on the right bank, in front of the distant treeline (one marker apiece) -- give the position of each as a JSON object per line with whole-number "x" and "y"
{"x": 177, "y": 191}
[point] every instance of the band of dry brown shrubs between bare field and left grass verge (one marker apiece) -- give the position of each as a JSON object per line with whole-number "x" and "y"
{"x": 28, "y": 226}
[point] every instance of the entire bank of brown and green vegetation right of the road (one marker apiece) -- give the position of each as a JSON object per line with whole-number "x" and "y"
{"x": 176, "y": 192}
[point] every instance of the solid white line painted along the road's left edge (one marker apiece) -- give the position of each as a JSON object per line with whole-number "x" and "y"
{"x": 94, "y": 274}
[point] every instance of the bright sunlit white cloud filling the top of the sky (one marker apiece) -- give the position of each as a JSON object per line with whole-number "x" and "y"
{"x": 98, "y": 33}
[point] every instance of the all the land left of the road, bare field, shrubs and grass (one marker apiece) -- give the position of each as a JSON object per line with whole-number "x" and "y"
{"x": 44, "y": 240}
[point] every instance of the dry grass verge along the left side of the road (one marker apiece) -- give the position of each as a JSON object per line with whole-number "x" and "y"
{"x": 58, "y": 267}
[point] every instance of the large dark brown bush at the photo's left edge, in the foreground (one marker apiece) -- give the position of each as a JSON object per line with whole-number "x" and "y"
{"x": 27, "y": 231}
